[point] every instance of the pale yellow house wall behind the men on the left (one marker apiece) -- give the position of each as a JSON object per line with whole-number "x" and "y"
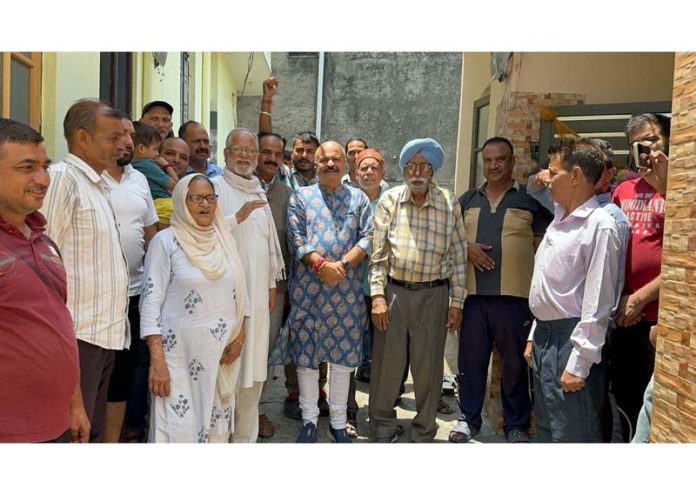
{"x": 214, "y": 85}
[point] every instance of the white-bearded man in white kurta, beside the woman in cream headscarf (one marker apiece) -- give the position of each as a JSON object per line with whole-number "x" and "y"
{"x": 244, "y": 203}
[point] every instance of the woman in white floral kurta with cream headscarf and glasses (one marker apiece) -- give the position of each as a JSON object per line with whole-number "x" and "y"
{"x": 192, "y": 314}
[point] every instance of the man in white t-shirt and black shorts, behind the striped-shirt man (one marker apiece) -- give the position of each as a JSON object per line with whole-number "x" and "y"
{"x": 137, "y": 219}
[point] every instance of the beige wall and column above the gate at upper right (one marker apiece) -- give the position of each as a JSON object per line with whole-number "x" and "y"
{"x": 600, "y": 77}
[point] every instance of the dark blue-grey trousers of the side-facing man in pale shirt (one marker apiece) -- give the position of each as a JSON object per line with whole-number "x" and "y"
{"x": 564, "y": 416}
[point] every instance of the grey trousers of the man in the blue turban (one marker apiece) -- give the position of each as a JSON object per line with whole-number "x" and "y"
{"x": 417, "y": 327}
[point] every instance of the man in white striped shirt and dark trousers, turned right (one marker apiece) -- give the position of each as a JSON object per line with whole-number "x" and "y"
{"x": 81, "y": 222}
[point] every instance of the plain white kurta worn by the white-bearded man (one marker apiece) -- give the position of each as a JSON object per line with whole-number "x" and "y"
{"x": 252, "y": 238}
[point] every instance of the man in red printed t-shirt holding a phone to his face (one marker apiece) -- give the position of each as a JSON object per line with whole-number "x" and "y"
{"x": 631, "y": 355}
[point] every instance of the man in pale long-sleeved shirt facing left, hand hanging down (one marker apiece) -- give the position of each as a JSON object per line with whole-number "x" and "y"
{"x": 572, "y": 295}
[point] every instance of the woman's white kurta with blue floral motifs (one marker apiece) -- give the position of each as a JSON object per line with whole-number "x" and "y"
{"x": 194, "y": 315}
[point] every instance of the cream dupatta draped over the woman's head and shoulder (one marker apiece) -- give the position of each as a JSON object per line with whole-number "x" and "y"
{"x": 213, "y": 250}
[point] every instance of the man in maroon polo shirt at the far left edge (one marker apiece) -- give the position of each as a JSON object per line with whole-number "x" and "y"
{"x": 40, "y": 397}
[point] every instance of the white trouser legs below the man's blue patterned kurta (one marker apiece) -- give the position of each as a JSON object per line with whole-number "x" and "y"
{"x": 339, "y": 382}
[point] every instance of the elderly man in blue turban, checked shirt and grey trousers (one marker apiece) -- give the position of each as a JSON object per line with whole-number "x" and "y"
{"x": 417, "y": 283}
